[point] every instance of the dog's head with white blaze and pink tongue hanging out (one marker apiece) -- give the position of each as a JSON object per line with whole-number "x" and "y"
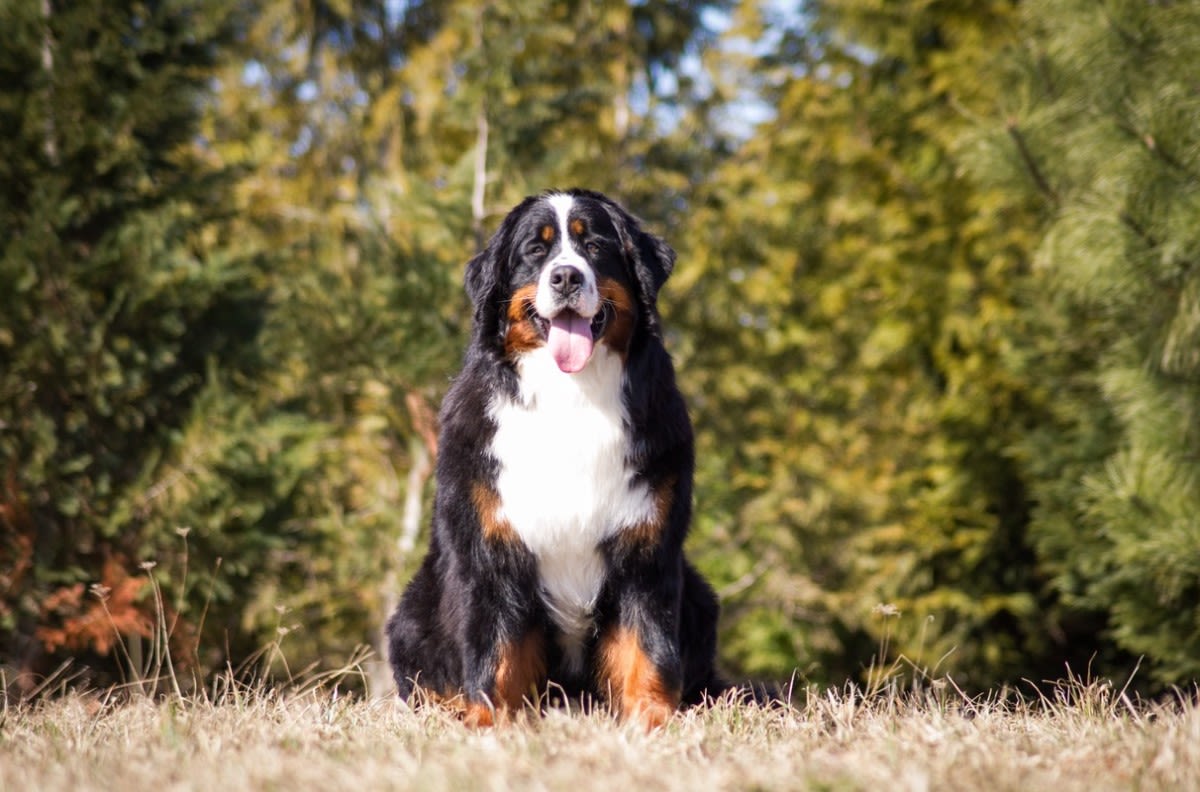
{"x": 568, "y": 271}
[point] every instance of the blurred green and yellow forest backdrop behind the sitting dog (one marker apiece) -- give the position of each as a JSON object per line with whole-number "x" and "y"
{"x": 937, "y": 316}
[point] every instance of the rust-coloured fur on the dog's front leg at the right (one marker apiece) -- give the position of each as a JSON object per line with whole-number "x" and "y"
{"x": 634, "y": 685}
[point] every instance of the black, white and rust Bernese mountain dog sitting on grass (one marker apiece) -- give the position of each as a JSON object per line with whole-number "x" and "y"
{"x": 565, "y": 483}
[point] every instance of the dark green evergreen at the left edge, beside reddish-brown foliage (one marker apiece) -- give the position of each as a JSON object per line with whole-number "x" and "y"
{"x": 118, "y": 305}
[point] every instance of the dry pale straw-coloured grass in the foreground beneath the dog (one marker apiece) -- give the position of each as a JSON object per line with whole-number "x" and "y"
{"x": 1064, "y": 737}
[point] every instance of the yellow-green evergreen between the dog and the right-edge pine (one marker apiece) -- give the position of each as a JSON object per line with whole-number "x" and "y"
{"x": 856, "y": 311}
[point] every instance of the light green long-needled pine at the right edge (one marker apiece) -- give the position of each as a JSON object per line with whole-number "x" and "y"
{"x": 1103, "y": 129}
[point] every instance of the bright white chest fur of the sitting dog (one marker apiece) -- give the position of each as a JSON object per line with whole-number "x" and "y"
{"x": 563, "y": 483}
